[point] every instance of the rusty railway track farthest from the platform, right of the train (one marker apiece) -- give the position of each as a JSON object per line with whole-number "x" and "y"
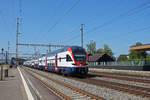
{"x": 125, "y": 78}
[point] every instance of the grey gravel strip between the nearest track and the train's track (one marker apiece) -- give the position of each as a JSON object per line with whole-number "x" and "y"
{"x": 107, "y": 93}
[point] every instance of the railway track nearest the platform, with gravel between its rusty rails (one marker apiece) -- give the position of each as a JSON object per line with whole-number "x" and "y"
{"x": 64, "y": 90}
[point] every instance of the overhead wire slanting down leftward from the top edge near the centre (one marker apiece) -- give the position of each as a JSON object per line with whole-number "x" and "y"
{"x": 58, "y": 21}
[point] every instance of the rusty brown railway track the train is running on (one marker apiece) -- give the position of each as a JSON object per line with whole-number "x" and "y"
{"x": 130, "y": 89}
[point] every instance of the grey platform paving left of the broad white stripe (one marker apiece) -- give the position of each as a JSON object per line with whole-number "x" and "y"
{"x": 11, "y": 87}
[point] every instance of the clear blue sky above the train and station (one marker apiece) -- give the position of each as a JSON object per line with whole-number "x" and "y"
{"x": 117, "y": 23}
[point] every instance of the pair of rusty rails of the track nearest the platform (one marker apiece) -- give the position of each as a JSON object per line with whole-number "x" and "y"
{"x": 72, "y": 88}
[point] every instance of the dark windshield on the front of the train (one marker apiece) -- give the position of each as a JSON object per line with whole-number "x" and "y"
{"x": 79, "y": 54}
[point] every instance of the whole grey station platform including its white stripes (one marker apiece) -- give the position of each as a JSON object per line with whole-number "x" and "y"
{"x": 19, "y": 85}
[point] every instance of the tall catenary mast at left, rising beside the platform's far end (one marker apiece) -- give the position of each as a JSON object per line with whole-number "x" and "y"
{"x": 17, "y": 41}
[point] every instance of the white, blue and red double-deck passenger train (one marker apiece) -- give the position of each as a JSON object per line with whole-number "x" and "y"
{"x": 68, "y": 60}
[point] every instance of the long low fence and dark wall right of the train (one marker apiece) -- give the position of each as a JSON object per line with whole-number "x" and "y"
{"x": 122, "y": 65}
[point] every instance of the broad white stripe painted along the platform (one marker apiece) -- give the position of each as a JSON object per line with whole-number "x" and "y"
{"x": 30, "y": 97}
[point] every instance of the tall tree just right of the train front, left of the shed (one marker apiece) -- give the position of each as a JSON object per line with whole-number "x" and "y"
{"x": 91, "y": 47}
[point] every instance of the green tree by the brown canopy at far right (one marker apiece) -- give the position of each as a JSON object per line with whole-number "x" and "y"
{"x": 140, "y": 54}
